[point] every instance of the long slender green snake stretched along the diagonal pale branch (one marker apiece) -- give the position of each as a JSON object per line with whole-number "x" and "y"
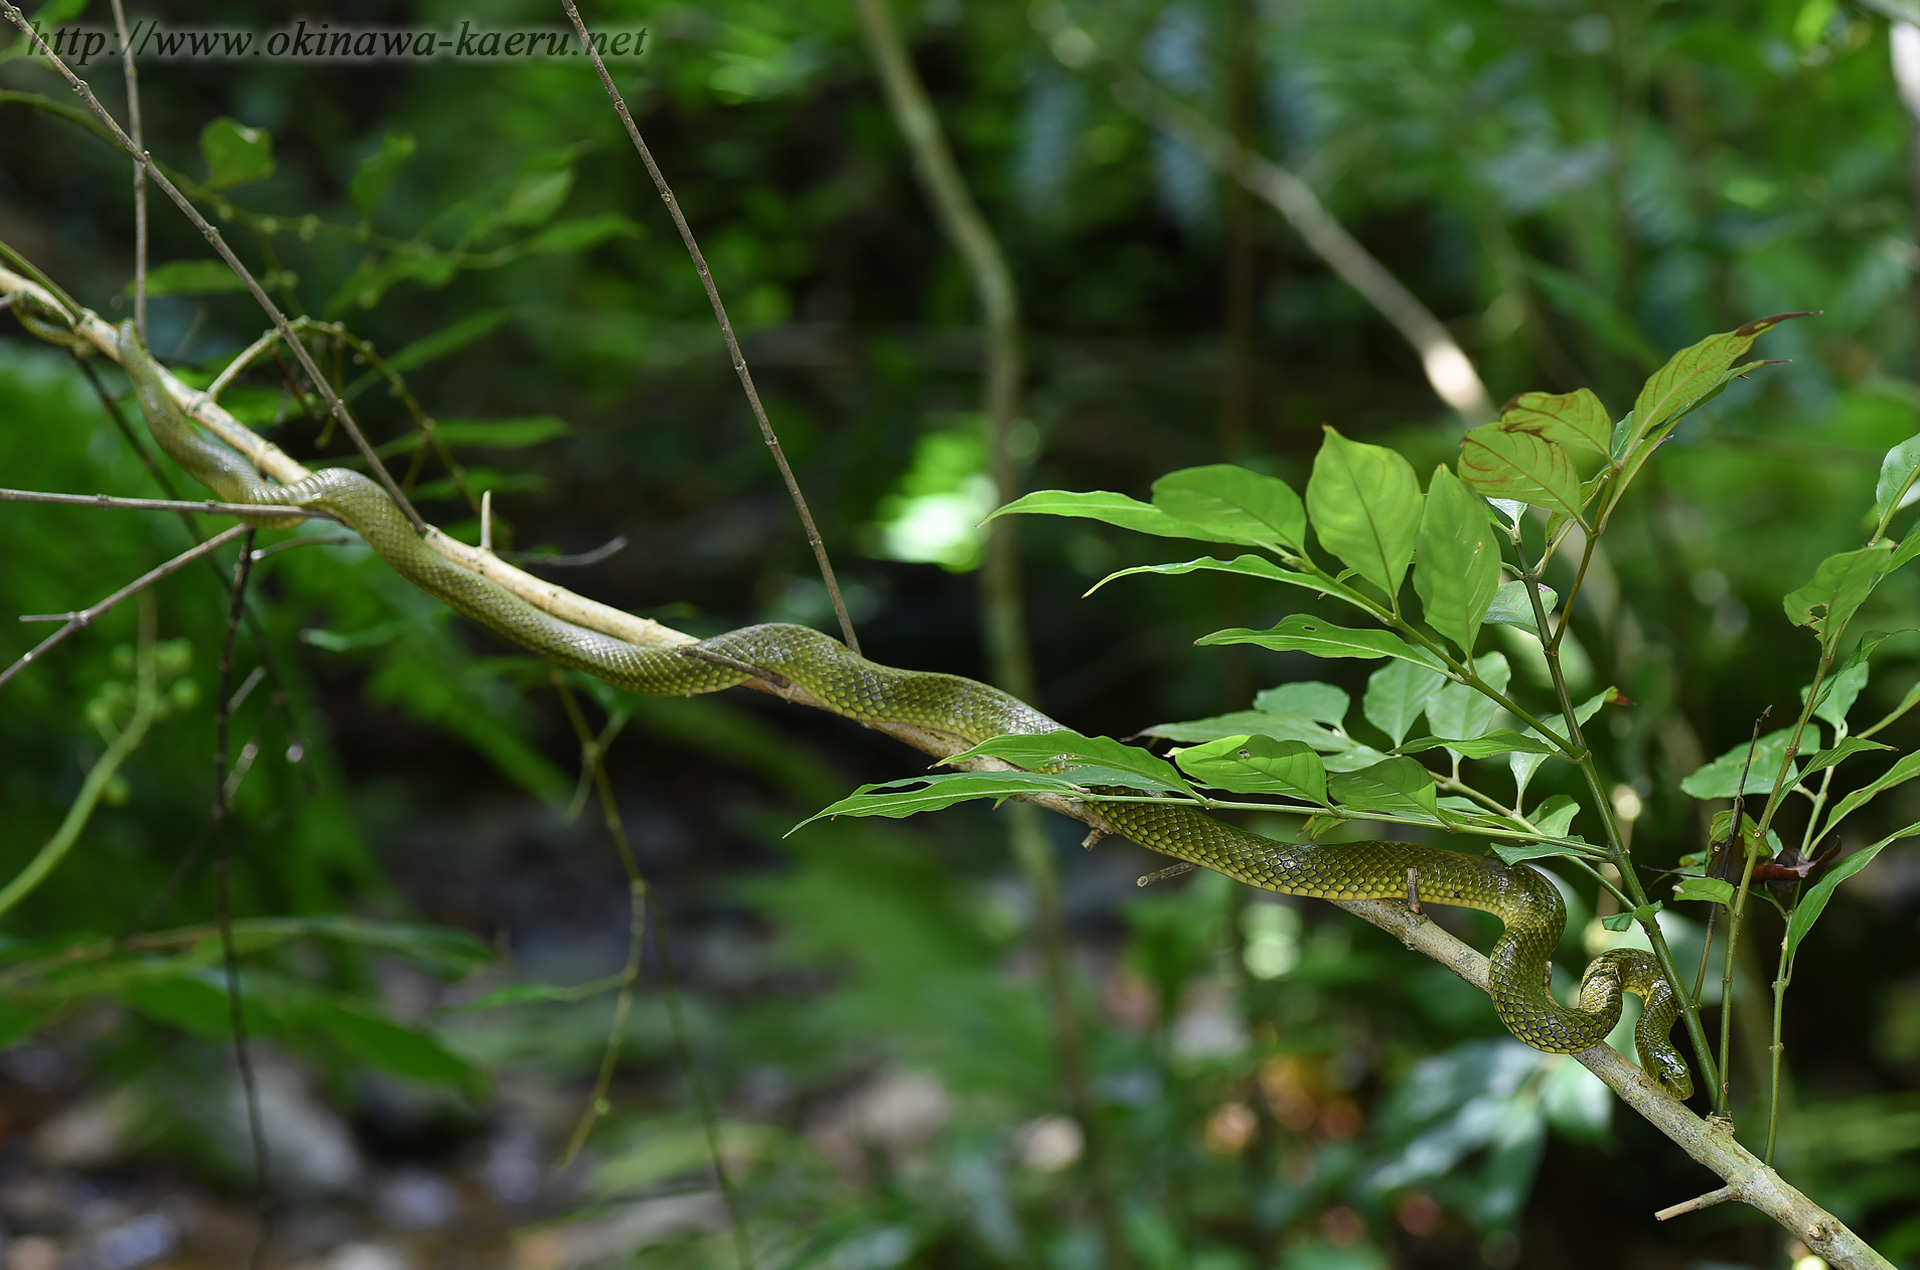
{"x": 971, "y": 712}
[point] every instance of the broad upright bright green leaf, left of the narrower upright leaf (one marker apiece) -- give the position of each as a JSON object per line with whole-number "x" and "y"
{"x": 1366, "y": 506}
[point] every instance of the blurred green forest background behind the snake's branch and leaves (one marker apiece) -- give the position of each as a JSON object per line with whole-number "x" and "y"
{"x": 1575, "y": 189}
